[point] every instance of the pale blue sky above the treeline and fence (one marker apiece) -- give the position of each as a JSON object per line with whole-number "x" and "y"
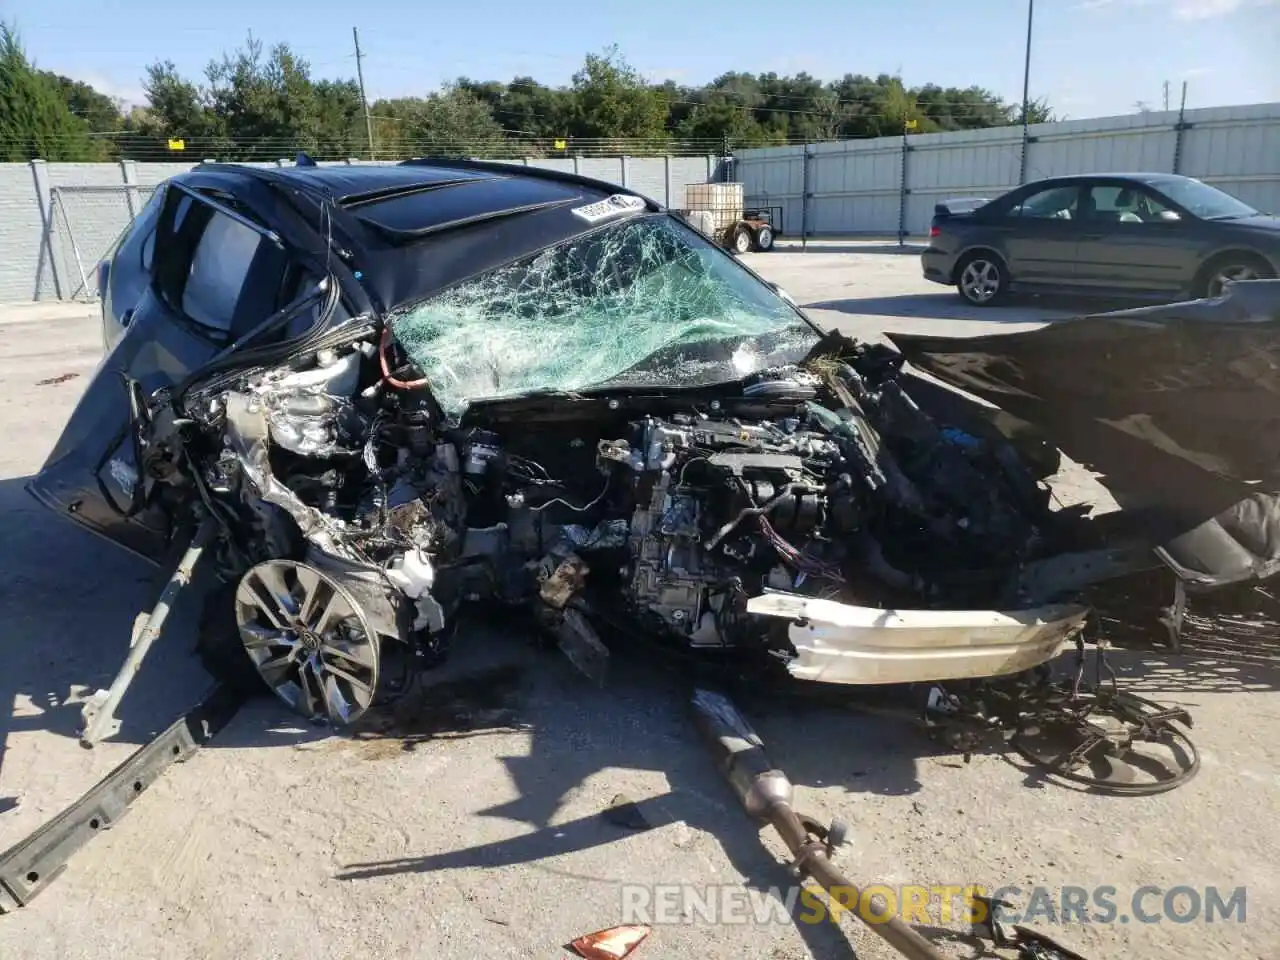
{"x": 1090, "y": 58}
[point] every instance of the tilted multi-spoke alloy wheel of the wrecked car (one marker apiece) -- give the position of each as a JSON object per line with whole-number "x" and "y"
{"x": 309, "y": 641}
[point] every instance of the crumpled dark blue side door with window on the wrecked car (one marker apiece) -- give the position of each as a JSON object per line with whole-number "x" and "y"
{"x": 214, "y": 275}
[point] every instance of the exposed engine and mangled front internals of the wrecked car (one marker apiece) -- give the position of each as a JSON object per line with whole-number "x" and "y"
{"x": 822, "y": 479}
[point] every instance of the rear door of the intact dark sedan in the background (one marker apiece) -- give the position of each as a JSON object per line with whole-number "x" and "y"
{"x": 1041, "y": 234}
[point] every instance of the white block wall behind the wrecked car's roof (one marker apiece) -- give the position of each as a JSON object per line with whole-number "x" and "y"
{"x": 92, "y": 204}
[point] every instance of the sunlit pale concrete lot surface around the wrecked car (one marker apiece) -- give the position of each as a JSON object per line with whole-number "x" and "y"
{"x": 469, "y": 825}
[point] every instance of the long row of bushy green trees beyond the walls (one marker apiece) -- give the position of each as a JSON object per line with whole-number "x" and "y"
{"x": 259, "y": 106}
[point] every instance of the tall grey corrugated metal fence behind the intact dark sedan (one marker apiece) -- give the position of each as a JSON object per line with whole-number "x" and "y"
{"x": 875, "y": 186}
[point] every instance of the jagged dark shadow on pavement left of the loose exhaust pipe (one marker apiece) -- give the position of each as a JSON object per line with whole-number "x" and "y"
{"x": 641, "y": 721}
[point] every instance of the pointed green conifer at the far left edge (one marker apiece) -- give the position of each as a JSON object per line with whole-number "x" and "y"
{"x": 35, "y": 120}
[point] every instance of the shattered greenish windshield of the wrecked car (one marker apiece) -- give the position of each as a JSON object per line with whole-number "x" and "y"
{"x": 643, "y": 303}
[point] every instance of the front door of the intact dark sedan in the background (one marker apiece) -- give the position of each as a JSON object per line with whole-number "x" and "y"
{"x": 1135, "y": 241}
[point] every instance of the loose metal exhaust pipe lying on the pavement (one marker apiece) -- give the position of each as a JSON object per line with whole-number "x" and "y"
{"x": 767, "y": 796}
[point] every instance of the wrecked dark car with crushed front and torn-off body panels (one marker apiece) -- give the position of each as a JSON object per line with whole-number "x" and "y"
{"x": 369, "y": 396}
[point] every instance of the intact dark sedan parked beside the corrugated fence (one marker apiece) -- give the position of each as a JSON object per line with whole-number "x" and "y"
{"x": 1145, "y": 236}
